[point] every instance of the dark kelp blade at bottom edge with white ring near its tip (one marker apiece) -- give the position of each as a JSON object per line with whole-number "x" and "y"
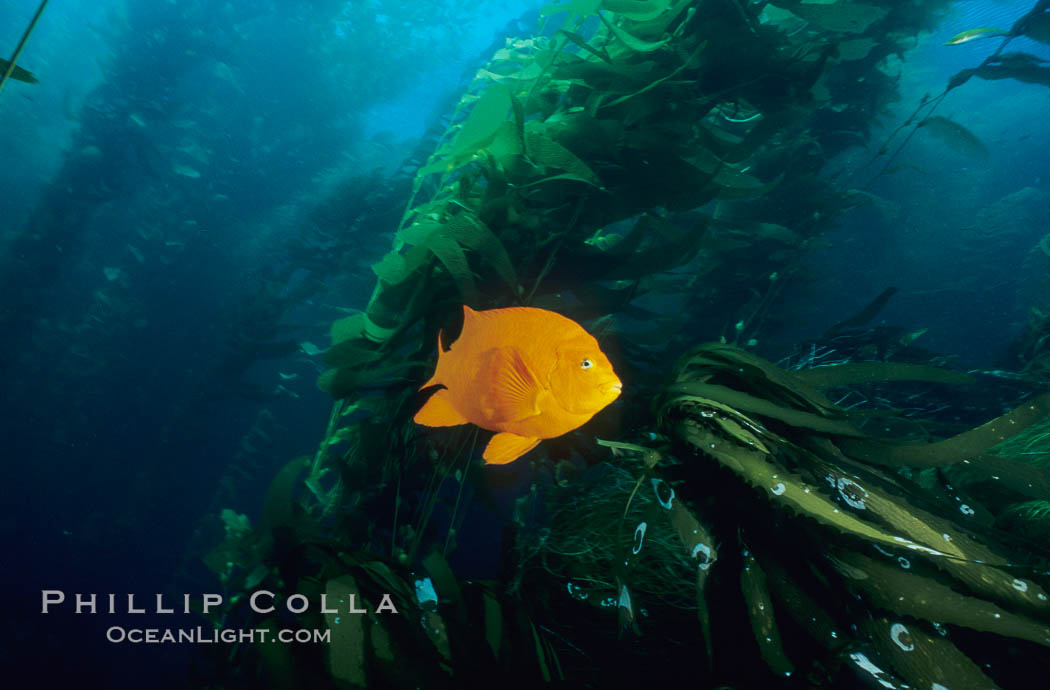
{"x": 922, "y": 660}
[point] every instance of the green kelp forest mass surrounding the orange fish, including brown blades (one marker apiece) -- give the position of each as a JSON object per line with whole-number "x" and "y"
{"x": 823, "y": 518}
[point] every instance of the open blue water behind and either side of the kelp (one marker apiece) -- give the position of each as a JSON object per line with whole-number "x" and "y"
{"x": 163, "y": 256}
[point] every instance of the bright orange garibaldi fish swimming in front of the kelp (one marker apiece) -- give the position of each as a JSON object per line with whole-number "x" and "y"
{"x": 527, "y": 373}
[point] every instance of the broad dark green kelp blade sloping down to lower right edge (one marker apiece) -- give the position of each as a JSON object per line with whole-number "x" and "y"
{"x": 895, "y": 589}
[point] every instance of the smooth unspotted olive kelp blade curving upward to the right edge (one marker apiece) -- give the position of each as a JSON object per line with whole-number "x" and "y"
{"x": 957, "y": 449}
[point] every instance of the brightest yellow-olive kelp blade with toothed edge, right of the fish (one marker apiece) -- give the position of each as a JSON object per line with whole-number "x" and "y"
{"x": 787, "y": 489}
